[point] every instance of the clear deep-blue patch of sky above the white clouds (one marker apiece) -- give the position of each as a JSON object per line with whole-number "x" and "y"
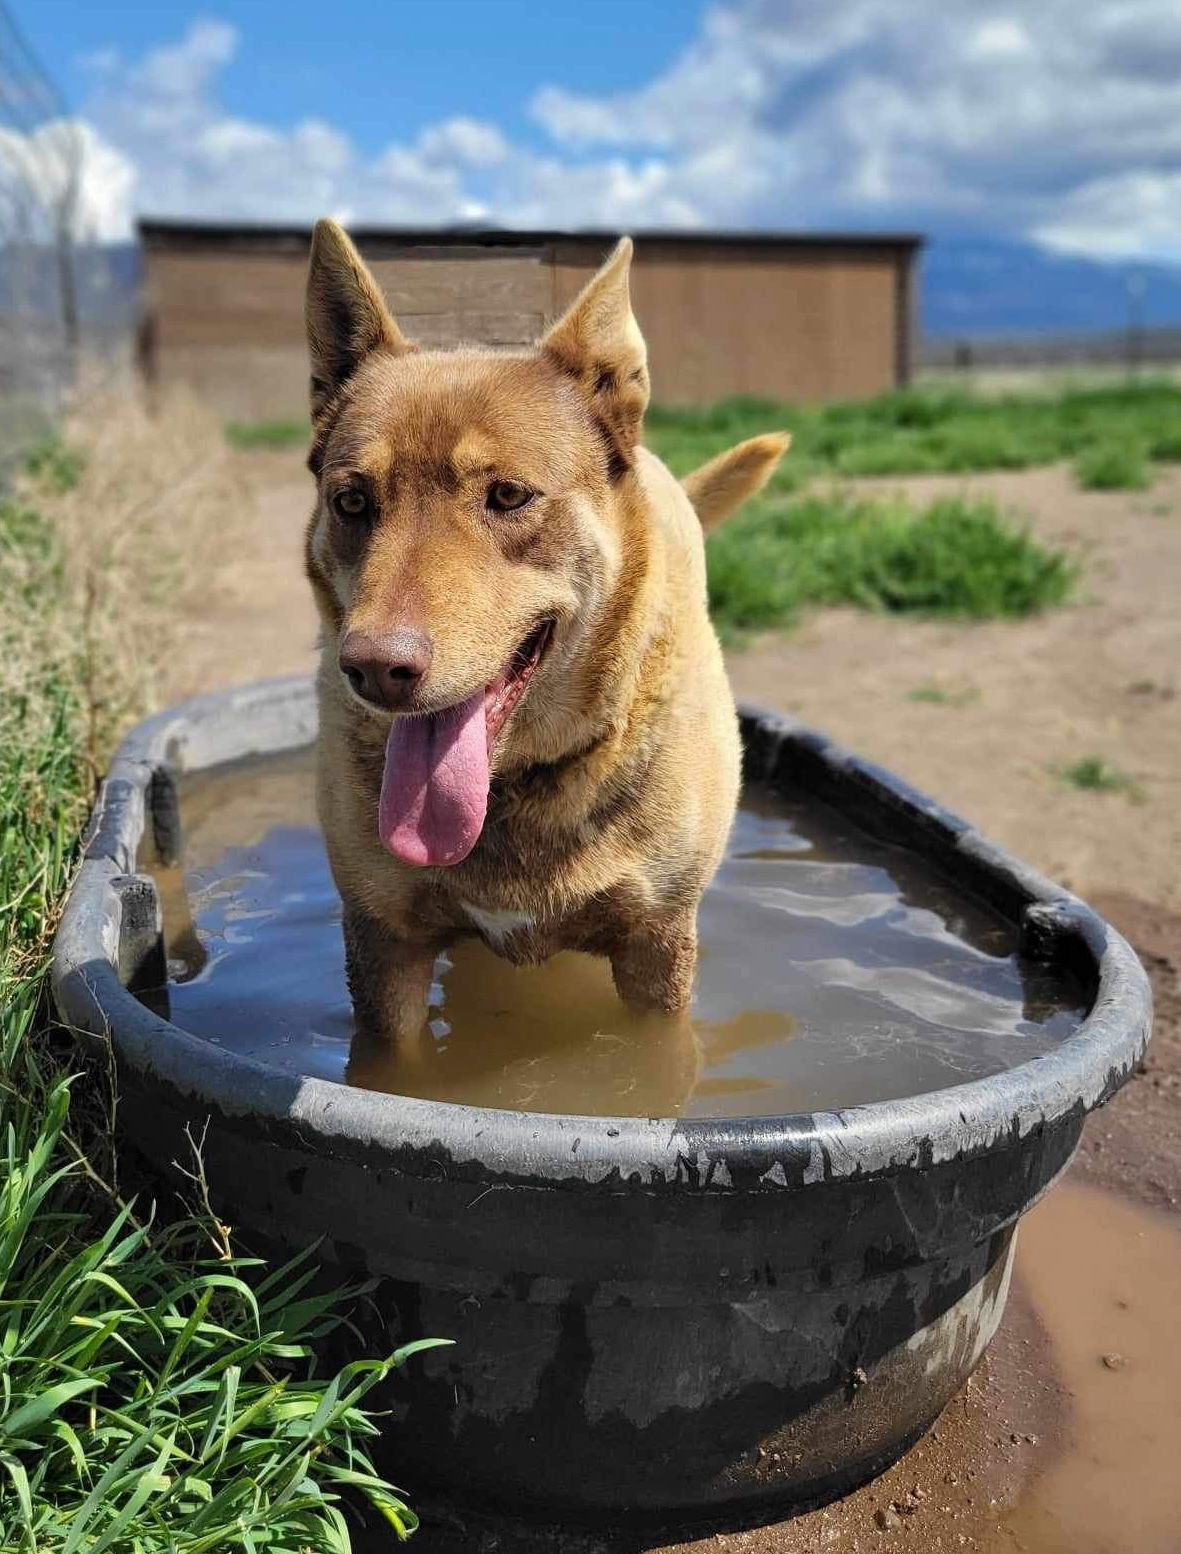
{"x": 383, "y": 72}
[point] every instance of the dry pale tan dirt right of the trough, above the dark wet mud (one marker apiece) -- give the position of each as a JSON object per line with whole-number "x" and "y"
{"x": 1099, "y": 678}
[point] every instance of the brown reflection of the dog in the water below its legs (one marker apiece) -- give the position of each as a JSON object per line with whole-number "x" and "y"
{"x": 552, "y": 1037}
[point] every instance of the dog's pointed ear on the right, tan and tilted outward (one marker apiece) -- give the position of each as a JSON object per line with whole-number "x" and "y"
{"x": 599, "y": 344}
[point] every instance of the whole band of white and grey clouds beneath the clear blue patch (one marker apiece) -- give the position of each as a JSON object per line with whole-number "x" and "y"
{"x": 1057, "y": 120}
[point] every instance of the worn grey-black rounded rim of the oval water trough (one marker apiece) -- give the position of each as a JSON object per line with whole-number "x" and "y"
{"x": 548, "y": 1149}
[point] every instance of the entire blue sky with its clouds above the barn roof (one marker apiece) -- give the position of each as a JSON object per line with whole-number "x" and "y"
{"x": 1047, "y": 120}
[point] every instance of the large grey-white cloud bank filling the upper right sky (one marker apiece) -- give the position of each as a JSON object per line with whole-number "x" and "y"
{"x": 919, "y": 113}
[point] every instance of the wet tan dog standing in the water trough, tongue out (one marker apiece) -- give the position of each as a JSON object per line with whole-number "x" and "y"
{"x": 526, "y": 730}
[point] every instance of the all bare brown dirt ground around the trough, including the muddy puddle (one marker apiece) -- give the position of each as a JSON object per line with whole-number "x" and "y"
{"x": 1047, "y": 1451}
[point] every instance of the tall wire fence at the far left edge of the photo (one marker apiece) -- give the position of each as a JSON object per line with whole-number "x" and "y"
{"x": 55, "y": 284}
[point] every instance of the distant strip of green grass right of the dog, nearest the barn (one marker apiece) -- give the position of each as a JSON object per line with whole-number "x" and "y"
{"x": 932, "y": 431}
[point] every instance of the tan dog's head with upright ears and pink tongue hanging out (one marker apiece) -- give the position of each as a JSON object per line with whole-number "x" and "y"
{"x": 470, "y": 529}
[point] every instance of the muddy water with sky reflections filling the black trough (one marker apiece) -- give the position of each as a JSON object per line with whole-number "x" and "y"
{"x": 835, "y": 970}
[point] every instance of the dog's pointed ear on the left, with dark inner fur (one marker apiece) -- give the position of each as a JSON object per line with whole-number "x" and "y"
{"x": 346, "y": 313}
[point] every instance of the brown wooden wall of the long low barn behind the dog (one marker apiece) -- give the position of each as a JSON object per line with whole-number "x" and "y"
{"x": 810, "y": 324}
